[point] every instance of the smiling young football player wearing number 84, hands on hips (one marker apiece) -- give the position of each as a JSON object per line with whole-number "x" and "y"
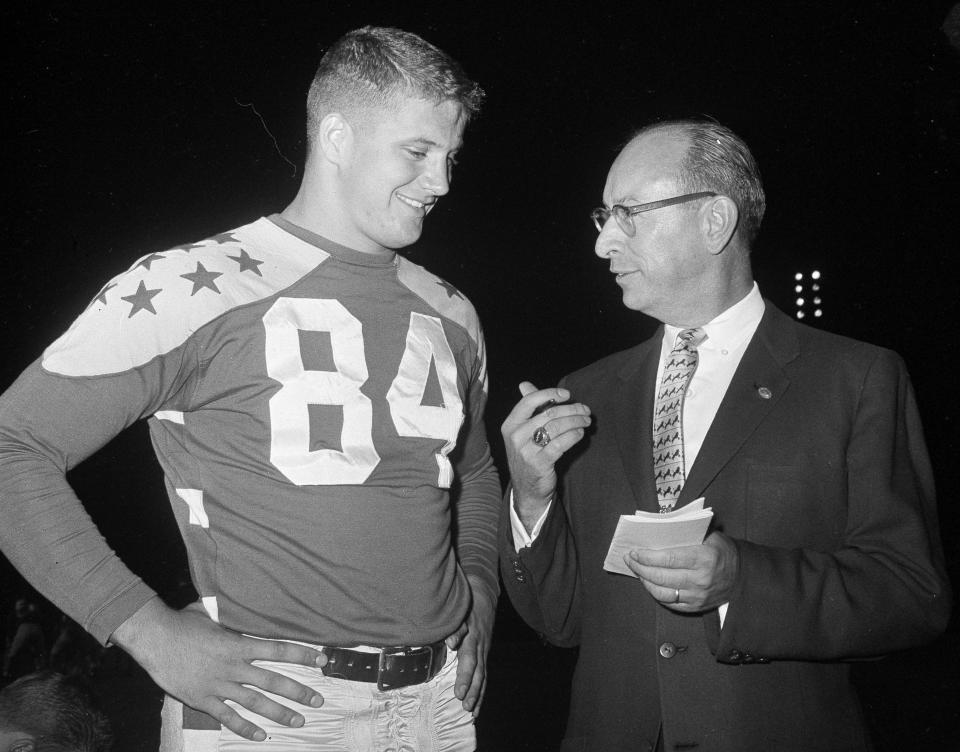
{"x": 305, "y": 388}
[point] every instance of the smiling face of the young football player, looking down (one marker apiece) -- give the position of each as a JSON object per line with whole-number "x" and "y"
{"x": 400, "y": 165}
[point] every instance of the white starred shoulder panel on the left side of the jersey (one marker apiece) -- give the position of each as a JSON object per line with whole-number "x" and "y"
{"x": 154, "y": 307}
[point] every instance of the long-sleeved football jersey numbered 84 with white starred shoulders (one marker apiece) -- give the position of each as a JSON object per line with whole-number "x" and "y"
{"x": 305, "y": 402}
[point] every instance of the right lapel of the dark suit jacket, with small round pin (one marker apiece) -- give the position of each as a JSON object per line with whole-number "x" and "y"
{"x": 758, "y": 384}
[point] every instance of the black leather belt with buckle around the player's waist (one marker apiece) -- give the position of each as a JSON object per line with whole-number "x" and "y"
{"x": 390, "y": 668}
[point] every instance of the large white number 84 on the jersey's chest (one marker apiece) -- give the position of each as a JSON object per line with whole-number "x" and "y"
{"x": 290, "y": 449}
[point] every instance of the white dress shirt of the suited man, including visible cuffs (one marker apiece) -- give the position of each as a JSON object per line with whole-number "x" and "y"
{"x": 719, "y": 355}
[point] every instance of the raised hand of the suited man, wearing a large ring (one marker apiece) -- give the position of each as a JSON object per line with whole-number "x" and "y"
{"x": 539, "y": 429}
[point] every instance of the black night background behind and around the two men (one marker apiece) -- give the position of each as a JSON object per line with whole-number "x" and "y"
{"x": 133, "y": 128}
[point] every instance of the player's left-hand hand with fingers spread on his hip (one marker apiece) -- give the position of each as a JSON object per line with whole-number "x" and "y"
{"x": 203, "y": 665}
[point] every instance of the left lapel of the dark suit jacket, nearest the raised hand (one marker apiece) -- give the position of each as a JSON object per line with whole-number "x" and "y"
{"x": 633, "y": 420}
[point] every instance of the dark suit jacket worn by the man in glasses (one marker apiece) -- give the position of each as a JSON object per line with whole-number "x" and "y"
{"x": 823, "y": 481}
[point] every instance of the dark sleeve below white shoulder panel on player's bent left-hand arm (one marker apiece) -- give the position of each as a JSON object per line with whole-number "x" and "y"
{"x": 48, "y": 424}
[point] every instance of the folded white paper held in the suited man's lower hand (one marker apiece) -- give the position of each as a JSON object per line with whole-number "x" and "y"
{"x": 681, "y": 527}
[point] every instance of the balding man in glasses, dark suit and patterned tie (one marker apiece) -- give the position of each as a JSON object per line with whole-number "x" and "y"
{"x": 824, "y": 545}
